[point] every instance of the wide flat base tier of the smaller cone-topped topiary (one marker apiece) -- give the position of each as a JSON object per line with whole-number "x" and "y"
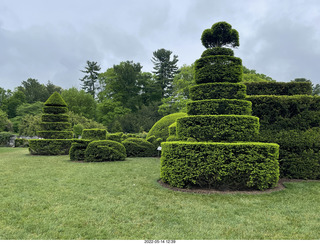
{"x": 50, "y": 146}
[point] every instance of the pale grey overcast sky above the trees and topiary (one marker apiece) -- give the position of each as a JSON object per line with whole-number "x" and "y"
{"x": 53, "y": 39}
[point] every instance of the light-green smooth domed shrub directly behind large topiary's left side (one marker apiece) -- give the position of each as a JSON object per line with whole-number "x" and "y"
{"x": 160, "y": 128}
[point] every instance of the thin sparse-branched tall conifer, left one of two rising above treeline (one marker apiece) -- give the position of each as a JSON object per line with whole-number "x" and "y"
{"x": 91, "y": 78}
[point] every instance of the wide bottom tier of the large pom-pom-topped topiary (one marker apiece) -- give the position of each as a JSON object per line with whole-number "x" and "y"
{"x": 234, "y": 166}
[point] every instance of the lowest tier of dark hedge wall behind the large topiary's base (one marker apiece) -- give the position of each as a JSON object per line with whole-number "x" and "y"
{"x": 299, "y": 152}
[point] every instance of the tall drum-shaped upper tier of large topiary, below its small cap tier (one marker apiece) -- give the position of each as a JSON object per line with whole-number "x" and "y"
{"x": 219, "y": 68}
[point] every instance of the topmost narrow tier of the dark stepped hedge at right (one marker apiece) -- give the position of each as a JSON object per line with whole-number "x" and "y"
{"x": 279, "y": 88}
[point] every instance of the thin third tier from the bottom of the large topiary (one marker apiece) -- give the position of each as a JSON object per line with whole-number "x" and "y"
{"x": 219, "y": 106}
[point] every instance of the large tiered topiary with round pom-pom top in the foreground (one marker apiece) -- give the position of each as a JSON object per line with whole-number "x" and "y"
{"x": 214, "y": 149}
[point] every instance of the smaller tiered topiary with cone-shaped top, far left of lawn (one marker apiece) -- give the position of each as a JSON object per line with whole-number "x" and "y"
{"x": 56, "y": 130}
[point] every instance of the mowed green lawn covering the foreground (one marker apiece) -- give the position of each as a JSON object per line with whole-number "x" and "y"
{"x": 50, "y": 197}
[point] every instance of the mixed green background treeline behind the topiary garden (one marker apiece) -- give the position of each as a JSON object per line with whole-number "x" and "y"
{"x": 121, "y": 99}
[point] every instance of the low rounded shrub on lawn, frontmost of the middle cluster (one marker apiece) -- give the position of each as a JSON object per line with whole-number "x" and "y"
{"x": 105, "y": 150}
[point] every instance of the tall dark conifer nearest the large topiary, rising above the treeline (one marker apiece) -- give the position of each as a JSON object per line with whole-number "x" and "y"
{"x": 165, "y": 69}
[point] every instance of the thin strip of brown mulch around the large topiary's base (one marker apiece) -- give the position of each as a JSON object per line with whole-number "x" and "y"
{"x": 279, "y": 187}
